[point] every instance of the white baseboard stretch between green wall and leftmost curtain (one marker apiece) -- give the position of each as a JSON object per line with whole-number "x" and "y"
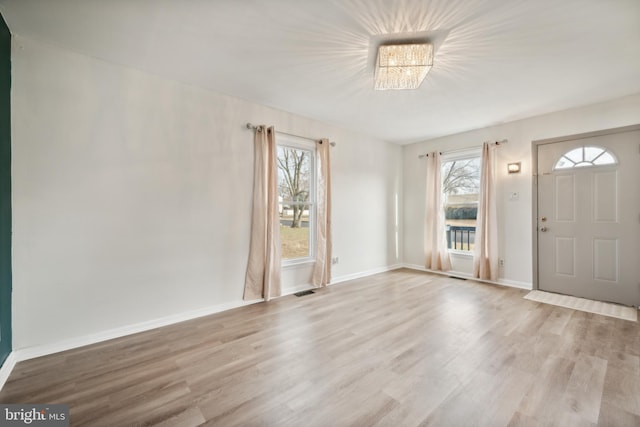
{"x": 68, "y": 344}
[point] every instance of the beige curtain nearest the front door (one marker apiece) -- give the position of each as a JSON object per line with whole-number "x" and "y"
{"x": 485, "y": 255}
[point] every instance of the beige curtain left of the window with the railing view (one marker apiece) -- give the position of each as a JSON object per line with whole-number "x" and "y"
{"x": 435, "y": 241}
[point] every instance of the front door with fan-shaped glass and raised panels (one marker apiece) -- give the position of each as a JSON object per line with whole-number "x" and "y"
{"x": 589, "y": 217}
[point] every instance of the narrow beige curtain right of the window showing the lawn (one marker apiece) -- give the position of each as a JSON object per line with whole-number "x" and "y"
{"x": 322, "y": 269}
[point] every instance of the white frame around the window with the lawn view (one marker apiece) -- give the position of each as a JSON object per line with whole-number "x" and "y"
{"x": 296, "y": 143}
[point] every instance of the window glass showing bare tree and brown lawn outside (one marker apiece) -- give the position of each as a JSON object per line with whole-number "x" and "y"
{"x": 296, "y": 198}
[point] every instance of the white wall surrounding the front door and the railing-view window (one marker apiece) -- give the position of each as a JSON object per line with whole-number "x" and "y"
{"x": 515, "y": 217}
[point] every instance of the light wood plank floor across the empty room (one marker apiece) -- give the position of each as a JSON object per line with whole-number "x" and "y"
{"x": 402, "y": 348}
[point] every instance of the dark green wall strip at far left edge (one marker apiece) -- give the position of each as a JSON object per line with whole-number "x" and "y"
{"x": 5, "y": 191}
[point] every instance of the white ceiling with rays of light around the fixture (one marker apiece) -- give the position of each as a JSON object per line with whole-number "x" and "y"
{"x": 496, "y": 60}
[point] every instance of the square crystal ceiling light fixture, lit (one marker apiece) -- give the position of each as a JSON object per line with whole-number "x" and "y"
{"x": 402, "y": 66}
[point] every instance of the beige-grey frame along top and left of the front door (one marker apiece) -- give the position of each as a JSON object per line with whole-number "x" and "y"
{"x": 534, "y": 169}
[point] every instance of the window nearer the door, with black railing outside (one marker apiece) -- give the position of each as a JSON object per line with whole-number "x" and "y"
{"x": 460, "y": 188}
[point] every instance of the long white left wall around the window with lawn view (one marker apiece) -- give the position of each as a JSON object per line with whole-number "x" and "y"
{"x": 132, "y": 195}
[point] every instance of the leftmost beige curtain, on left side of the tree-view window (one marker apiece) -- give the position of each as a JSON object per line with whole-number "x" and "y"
{"x": 263, "y": 269}
